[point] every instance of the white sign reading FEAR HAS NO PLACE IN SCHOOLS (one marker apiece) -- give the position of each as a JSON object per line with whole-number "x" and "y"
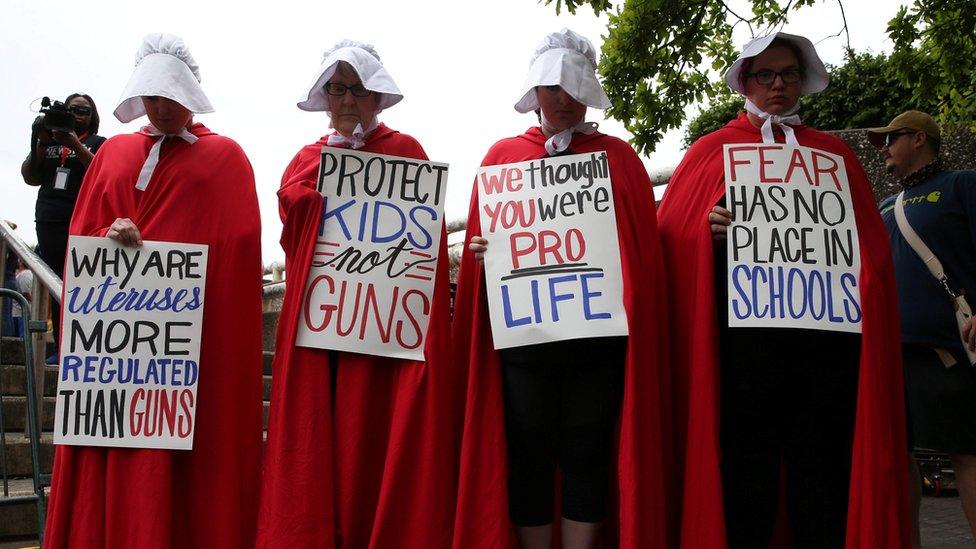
{"x": 793, "y": 253}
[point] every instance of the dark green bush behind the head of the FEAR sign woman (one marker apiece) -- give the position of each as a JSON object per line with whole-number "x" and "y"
{"x": 864, "y": 92}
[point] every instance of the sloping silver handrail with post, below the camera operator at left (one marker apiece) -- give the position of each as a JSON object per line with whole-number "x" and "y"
{"x": 47, "y": 286}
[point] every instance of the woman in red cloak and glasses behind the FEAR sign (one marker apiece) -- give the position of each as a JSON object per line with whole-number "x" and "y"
{"x": 822, "y": 410}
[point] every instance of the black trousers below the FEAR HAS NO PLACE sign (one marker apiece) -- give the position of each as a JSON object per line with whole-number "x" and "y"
{"x": 788, "y": 399}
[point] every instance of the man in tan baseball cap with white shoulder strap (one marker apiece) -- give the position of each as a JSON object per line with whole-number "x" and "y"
{"x": 939, "y": 211}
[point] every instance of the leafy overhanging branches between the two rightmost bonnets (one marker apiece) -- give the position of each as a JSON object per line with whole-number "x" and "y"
{"x": 660, "y": 56}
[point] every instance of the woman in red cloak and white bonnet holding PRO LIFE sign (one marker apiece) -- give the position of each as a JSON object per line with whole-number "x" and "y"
{"x": 597, "y": 407}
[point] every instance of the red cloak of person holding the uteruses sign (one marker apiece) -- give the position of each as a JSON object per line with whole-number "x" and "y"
{"x": 206, "y": 497}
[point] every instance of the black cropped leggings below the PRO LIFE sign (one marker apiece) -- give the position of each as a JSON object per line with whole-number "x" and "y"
{"x": 561, "y": 405}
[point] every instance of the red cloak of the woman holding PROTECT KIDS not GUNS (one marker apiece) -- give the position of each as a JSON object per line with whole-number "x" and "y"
{"x": 376, "y": 468}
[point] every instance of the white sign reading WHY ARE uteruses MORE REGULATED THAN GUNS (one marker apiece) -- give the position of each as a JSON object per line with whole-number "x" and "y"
{"x": 130, "y": 344}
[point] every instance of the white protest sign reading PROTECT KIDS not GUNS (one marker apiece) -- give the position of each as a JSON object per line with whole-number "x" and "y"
{"x": 371, "y": 283}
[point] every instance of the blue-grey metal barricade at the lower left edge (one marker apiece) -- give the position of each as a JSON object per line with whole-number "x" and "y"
{"x": 39, "y": 481}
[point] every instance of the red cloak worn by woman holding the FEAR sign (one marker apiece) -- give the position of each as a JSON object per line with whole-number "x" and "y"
{"x": 878, "y": 504}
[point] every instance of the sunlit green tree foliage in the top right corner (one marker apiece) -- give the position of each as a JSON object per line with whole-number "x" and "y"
{"x": 935, "y": 54}
